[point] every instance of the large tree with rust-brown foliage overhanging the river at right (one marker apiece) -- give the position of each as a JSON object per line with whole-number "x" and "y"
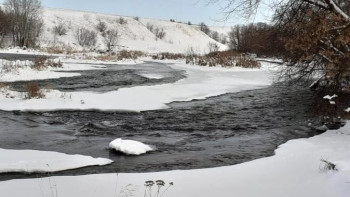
{"x": 317, "y": 38}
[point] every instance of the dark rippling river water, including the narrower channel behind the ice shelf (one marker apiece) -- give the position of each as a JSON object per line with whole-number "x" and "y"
{"x": 218, "y": 131}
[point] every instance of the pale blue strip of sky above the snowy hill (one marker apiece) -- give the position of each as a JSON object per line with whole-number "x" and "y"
{"x": 181, "y": 10}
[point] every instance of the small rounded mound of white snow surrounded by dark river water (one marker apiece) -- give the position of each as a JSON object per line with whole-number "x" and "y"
{"x": 130, "y": 147}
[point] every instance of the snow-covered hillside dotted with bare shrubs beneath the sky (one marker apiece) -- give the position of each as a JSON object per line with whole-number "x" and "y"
{"x": 134, "y": 35}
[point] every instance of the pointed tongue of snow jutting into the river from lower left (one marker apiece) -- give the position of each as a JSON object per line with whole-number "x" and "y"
{"x": 30, "y": 161}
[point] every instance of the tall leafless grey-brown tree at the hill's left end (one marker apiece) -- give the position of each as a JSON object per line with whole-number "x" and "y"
{"x": 26, "y": 21}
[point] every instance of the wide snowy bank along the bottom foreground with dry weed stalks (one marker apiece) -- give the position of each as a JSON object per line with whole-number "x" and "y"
{"x": 295, "y": 170}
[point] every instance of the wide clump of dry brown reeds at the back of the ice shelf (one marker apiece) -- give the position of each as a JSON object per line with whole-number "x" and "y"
{"x": 223, "y": 58}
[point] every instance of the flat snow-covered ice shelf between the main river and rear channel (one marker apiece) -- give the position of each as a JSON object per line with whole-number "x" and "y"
{"x": 200, "y": 83}
